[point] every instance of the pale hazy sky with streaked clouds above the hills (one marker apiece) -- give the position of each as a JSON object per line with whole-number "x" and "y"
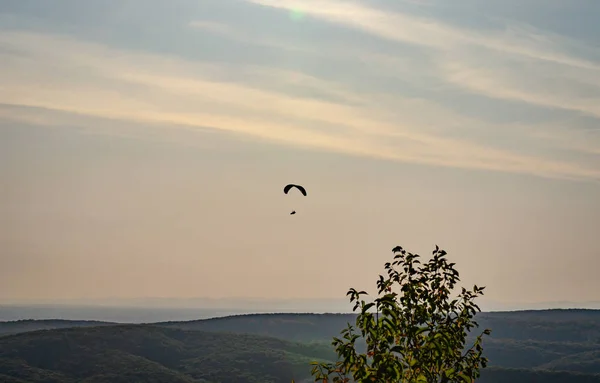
{"x": 144, "y": 146}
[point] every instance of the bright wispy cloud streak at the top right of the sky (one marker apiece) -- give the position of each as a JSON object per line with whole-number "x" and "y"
{"x": 503, "y": 64}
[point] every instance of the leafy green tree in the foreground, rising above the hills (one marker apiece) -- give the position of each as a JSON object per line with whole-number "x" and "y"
{"x": 417, "y": 334}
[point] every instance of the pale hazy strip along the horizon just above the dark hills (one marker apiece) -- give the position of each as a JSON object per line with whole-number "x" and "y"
{"x": 160, "y": 310}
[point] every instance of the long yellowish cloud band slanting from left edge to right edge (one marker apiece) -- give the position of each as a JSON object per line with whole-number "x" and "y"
{"x": 97, "y": 80}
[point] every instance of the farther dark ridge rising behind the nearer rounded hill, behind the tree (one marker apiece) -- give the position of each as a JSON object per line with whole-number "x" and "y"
{"x": 550, "y": 339}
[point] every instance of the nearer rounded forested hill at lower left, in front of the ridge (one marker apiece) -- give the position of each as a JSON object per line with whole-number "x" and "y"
{"x": 143, "y": 353}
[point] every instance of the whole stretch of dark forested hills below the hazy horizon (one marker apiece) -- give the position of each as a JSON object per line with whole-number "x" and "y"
{"x": 527, "y": 346}
